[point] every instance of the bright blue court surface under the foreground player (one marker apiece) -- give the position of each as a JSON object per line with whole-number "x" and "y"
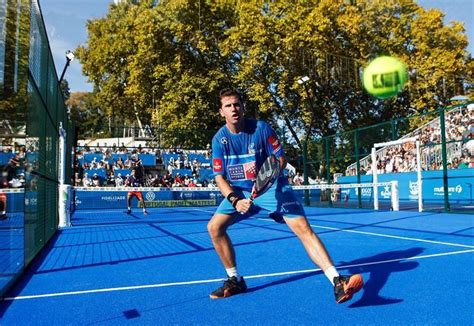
{"x": 112, "y": 269}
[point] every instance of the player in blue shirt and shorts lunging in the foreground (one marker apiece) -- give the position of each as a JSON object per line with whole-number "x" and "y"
{"x": 238, "y": 150}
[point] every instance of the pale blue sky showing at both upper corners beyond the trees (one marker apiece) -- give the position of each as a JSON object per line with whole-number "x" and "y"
{"x": 66, "y": 20}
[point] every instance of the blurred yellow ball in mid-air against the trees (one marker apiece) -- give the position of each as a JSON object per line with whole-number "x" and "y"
{"x": 385, "y": 76}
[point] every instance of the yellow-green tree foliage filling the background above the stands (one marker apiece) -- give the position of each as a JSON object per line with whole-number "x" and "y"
{"x": 169, "y": 60}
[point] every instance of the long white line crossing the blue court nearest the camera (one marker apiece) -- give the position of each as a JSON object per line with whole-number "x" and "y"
{"x": 138, "y": 287}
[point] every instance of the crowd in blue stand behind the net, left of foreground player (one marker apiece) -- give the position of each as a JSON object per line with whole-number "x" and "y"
{"x": 98, "y": 166}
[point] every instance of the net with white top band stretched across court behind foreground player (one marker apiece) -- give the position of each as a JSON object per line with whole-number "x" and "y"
{"x": 79, "y": 204}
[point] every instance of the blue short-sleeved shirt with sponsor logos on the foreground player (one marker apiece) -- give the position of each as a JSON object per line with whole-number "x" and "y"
{"x": 238, "y": 157}
